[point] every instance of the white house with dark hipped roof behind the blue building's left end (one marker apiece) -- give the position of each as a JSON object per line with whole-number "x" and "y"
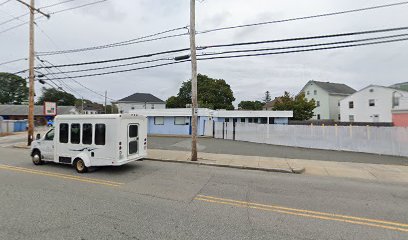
{"x": 139, "y": 101}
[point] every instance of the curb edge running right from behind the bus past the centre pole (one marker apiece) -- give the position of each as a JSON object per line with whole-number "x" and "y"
{"x": 280, "y": 170}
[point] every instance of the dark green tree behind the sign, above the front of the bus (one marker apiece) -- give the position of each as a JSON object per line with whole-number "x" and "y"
{"x": 53, "y": 95}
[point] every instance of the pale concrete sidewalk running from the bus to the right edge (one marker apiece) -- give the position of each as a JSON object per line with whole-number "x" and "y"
{"x": 373, "y": 172}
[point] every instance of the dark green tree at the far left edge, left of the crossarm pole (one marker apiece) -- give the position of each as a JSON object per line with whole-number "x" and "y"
{"x": 13, "y": 89}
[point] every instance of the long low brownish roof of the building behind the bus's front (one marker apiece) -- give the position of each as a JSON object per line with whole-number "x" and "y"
{"x": 22, "y": 110}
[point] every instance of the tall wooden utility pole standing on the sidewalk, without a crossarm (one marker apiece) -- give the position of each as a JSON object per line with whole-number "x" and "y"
{"x": 193, "y": 83}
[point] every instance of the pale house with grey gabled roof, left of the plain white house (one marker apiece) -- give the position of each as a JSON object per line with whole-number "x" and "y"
{"x": 327, "y": 96}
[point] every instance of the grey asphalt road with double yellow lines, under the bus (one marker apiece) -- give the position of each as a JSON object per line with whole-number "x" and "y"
{"x": 157, "y": 200}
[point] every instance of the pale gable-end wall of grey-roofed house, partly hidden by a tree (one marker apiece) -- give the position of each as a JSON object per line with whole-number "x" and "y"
{"x": 315, "y": 92}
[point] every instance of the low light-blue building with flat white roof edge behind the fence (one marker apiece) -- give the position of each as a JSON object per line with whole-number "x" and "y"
{"x": 178, "y": 120}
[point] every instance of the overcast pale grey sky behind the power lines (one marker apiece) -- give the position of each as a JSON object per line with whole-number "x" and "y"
{"x": 119, "y": 20}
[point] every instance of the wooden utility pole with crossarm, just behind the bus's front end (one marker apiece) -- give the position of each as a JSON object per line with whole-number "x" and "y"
{"x": 31, "y": 76}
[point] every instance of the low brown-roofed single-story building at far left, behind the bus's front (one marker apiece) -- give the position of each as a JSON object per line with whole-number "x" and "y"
{"x": 20, "y": 112}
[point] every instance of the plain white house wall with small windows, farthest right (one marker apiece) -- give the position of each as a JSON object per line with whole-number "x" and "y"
{"x": 362, "y": 112}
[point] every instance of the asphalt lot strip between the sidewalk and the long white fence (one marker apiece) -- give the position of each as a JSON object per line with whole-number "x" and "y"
{"x": 211, "y": 145}
